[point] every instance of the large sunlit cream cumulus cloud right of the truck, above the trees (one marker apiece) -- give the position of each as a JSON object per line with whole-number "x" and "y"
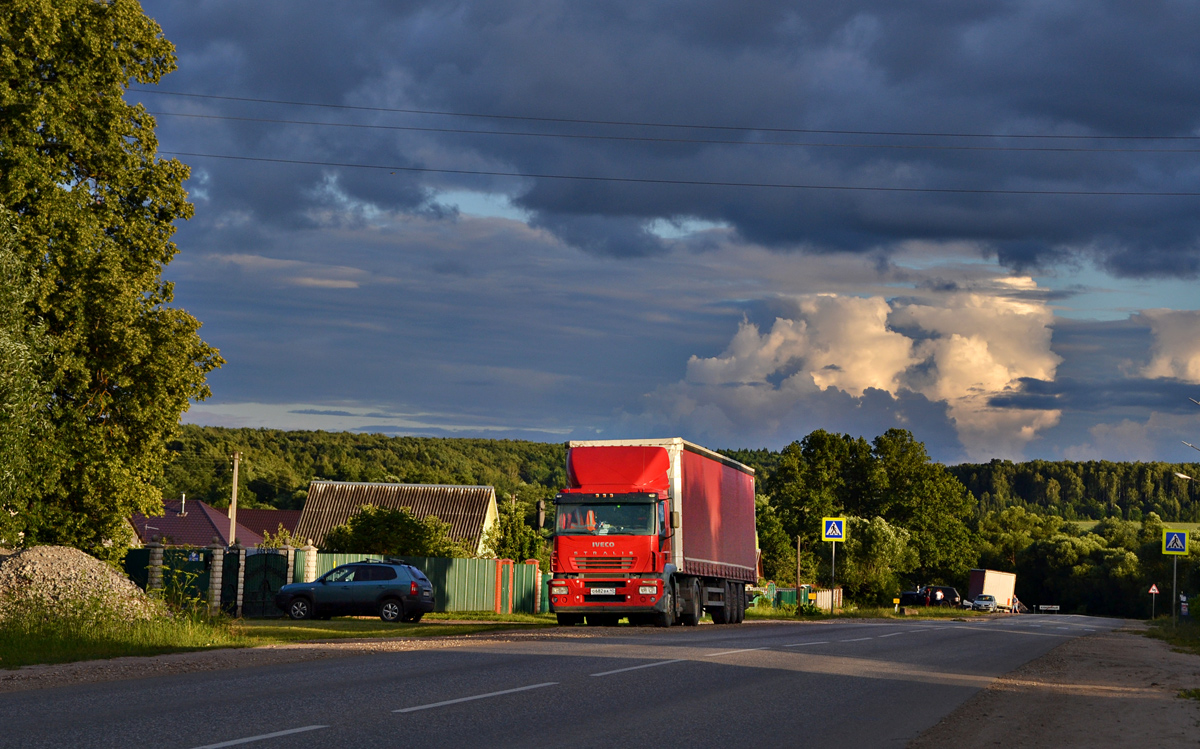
{"x": 959, "y": 349}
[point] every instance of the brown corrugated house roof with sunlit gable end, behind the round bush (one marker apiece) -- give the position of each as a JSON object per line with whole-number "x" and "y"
{"x": 470, "y": 511}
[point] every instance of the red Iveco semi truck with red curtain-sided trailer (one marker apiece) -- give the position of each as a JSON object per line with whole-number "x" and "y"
{"x": 659, "y": 531}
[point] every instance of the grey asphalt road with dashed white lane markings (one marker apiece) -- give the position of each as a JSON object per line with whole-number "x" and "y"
{"x": 824, "y": 685}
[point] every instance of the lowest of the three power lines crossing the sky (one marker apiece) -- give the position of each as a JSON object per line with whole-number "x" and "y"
{"x": 692, "y": 183}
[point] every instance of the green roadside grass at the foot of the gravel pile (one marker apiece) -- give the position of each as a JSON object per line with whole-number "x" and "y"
{"x": 39, "y": 634}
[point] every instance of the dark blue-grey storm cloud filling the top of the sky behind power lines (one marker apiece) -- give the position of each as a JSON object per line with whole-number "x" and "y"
{"x": 1111, "y": 69}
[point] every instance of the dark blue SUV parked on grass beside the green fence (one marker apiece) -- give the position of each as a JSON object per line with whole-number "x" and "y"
{"x": 393, "y": 592}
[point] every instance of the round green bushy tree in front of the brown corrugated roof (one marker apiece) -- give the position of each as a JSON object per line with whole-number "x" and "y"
{"x": 399, "y": 534}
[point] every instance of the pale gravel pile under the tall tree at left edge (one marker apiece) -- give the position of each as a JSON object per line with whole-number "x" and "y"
{"x": 68, "y": 578}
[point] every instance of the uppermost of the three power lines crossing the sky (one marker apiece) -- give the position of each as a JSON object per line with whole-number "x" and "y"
{"x": 647, "y": 124}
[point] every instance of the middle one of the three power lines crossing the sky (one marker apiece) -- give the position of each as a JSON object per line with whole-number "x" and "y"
{"x": 689, "y": 141}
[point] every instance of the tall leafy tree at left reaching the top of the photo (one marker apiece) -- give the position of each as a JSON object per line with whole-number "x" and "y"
{"x": 95, "y": 213}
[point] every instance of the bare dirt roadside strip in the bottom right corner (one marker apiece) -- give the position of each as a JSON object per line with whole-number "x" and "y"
{"x": 1112, "y": 690}
